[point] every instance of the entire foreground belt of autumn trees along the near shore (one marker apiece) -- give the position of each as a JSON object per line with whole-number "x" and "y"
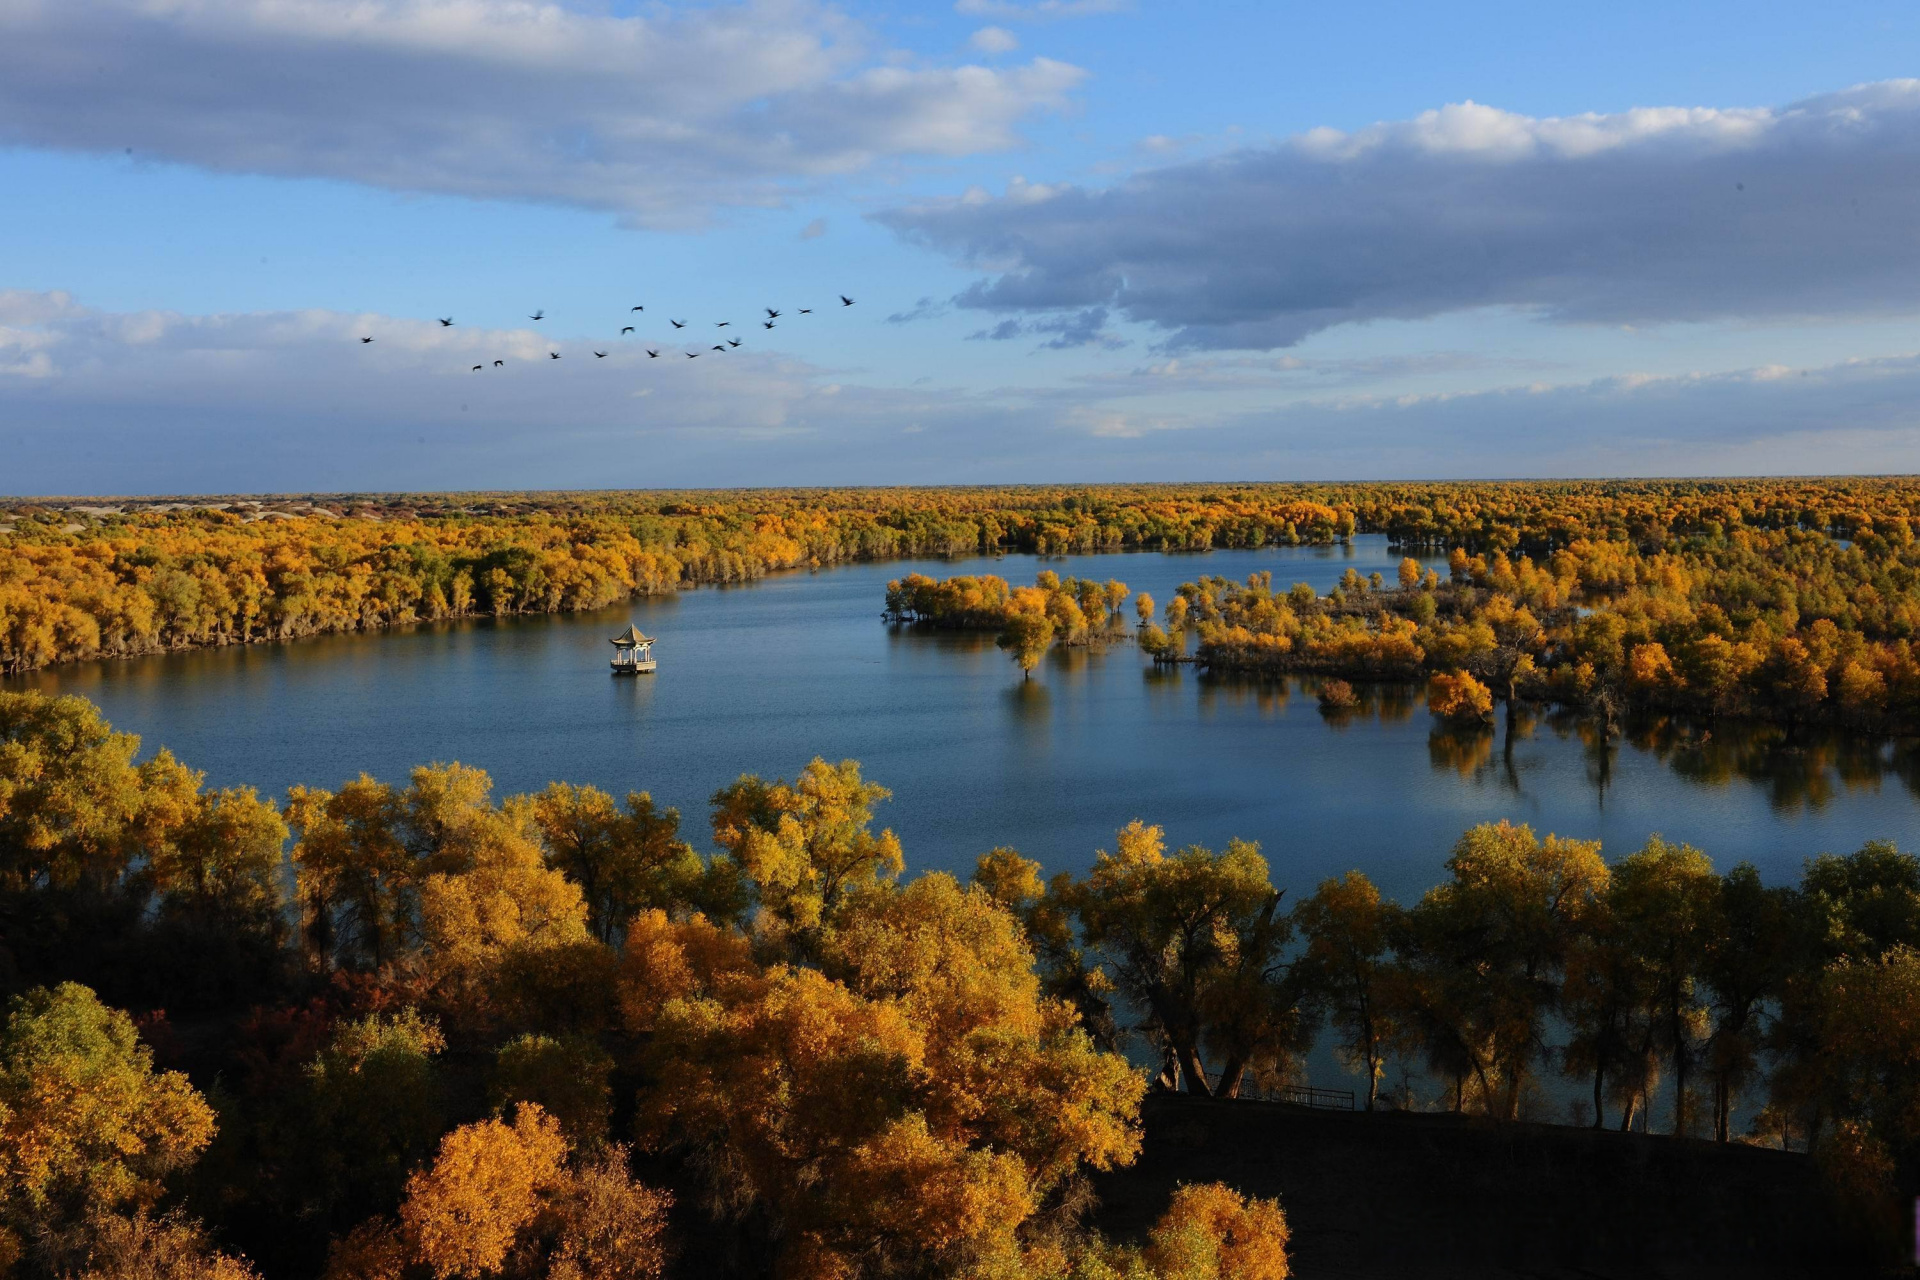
{"x": 393, "y": 1031}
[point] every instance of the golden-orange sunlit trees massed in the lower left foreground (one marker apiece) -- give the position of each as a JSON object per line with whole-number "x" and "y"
{"x": 446, "y": 1074}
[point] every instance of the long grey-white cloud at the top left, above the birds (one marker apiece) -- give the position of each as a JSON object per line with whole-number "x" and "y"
{"x": 660, "y": 118}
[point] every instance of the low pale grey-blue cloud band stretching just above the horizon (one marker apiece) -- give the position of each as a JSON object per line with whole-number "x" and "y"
{"x": 170, "y": 404}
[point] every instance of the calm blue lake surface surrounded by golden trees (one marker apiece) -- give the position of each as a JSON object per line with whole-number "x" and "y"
{"x": 767, "y": 676}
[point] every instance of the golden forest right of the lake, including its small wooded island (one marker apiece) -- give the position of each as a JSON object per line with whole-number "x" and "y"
{"x": 1773, "y": 613}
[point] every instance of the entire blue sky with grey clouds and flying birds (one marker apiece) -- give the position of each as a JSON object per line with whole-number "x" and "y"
{"x": 1084, "y": 241}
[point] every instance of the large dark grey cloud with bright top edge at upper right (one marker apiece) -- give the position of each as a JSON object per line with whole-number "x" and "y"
{"x": 1639, "y": 218}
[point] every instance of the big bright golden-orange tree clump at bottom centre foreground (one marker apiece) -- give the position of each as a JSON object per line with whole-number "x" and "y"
{"x": 903, "y": 1110}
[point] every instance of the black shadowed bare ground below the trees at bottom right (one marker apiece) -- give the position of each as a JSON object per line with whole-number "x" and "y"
{"x": 1403, "y": 1197}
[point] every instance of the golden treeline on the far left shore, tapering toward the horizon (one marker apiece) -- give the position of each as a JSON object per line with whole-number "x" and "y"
{"x": 82, "y": 582}
